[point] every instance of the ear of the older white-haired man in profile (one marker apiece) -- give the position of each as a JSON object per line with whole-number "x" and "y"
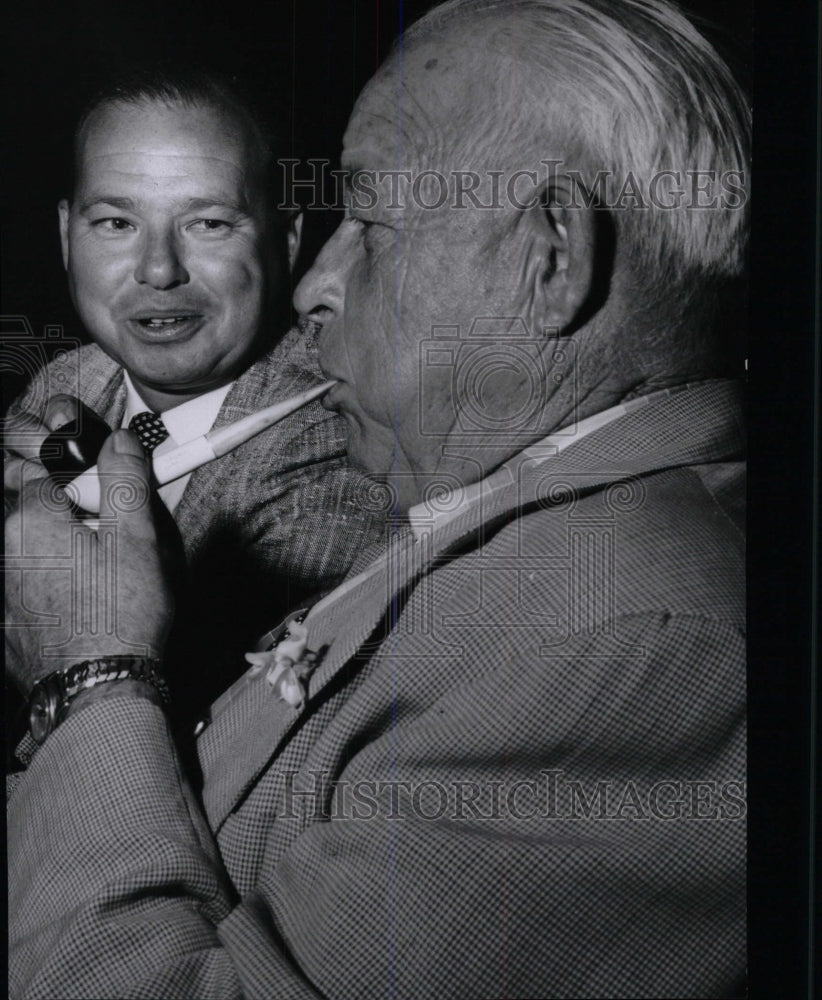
{"x": 566, "y": 285}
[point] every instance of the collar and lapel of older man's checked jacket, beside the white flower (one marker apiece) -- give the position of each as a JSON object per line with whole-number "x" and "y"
{"x": 698, "y": 425}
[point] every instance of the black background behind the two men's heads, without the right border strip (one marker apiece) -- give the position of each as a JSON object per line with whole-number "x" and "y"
{"x": 311, "y": 57}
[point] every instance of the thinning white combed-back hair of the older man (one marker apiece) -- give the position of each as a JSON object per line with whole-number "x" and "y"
{"x": 631, "y": 89}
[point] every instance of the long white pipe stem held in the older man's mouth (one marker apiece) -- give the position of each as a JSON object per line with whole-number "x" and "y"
{"x": 84, "y": 491}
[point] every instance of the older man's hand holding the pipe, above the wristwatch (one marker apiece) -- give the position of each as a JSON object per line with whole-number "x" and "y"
{"x": 73, "y": 593}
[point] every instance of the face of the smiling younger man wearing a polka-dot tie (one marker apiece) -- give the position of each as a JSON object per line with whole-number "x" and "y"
{"x": 167, "y": 246}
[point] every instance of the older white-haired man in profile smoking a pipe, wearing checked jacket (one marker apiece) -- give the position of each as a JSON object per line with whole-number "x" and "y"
{"x": 506, "y": 757}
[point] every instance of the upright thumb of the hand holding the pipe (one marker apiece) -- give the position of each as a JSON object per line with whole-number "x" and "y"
{"x": 125, "y": 492}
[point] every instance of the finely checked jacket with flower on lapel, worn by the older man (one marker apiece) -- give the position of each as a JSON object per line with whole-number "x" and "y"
{"x": 519, "y": 771}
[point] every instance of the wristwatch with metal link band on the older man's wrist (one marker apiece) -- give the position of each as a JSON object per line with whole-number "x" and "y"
{"x": 51, "y": 696}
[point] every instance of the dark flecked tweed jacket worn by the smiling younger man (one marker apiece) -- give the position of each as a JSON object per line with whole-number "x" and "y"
{"x": 264, "y": 528}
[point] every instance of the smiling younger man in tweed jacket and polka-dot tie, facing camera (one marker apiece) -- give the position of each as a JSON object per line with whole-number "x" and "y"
{"x": 178, "y": 262}
